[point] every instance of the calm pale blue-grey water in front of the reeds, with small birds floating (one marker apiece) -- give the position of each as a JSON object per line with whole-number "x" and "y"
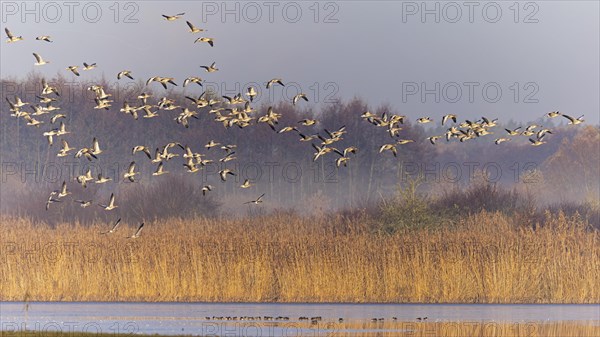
{"x": 191, "y": 318}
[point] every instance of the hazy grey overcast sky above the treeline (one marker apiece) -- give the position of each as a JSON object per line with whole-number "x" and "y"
{"x": 542, "y": 56}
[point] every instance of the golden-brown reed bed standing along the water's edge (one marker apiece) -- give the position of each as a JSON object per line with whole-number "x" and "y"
{"x": 486, "y": 258}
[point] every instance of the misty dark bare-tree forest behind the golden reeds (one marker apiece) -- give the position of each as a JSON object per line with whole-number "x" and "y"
{"x": 279, "y": 164}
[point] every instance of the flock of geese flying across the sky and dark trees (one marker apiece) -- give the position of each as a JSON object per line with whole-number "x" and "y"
{"x": 236, "y": 111}
